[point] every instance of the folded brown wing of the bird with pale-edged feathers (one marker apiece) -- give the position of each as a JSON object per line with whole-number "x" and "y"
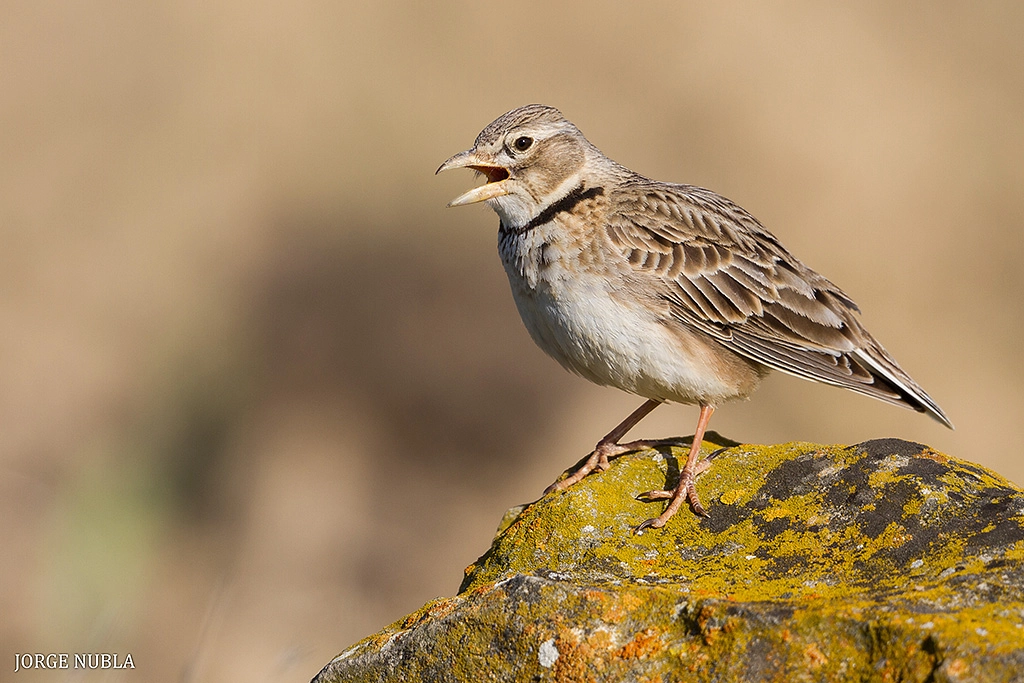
{"x": 727, "y": 276}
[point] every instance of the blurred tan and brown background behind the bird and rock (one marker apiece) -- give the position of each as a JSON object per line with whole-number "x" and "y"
{"x": 263, "y": 394}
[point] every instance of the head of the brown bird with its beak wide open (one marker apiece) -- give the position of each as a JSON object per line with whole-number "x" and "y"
{"x": 528, "y": 156}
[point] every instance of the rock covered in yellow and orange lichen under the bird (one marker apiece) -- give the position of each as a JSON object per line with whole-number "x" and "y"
{"x": 883, "y": 562}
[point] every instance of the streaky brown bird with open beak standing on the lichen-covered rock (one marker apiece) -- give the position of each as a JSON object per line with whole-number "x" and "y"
{"x": 670, "y": 292}
